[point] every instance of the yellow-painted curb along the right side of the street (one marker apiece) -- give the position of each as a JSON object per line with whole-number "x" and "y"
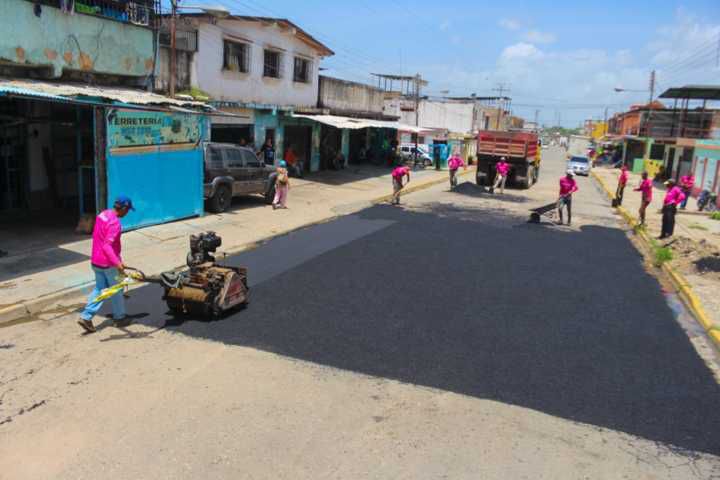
{"x": 688, "y": 297}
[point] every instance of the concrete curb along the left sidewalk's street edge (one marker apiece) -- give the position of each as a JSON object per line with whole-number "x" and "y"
{"x": 21, "y": 312}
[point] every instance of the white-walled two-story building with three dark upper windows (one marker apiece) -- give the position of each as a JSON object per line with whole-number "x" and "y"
{"x": 261, "y": 70}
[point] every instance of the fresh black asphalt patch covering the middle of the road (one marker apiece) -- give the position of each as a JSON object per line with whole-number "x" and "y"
{"x": 482, "y": 304}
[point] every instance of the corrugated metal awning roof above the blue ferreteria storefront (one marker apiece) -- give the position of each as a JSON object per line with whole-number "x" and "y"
{"x": 68, "y": 91}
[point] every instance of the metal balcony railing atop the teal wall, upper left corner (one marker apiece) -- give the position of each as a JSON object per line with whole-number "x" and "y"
{"x": 137, "y": 12}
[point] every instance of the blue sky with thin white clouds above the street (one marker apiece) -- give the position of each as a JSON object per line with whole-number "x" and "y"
{"x": 559, "y": 57}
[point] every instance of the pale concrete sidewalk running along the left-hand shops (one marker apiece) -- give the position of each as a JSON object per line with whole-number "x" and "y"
{"x": 32, "y": 281}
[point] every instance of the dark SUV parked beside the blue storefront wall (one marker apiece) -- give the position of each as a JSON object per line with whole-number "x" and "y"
{"x": 231, "y": 171}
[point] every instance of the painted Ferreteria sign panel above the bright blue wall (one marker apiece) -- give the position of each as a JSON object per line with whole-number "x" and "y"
{"x": 133, "y": 128}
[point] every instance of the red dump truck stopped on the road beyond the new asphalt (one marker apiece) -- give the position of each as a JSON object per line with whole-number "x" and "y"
{"x": 521, "y": 149}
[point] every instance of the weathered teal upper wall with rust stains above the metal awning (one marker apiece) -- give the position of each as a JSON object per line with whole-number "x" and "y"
{"x": 78, "y": 42}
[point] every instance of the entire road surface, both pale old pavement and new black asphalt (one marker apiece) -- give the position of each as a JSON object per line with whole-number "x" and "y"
{"x": 443, "y": 339}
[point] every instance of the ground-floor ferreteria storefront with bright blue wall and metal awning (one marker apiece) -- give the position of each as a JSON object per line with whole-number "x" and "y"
{"x": 67, "y": 151}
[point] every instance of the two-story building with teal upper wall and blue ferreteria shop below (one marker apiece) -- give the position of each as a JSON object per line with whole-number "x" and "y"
{"x": 78, "y": 124}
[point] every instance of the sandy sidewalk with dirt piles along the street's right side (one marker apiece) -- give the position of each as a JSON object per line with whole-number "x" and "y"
{"x": 695, "y": 245}
